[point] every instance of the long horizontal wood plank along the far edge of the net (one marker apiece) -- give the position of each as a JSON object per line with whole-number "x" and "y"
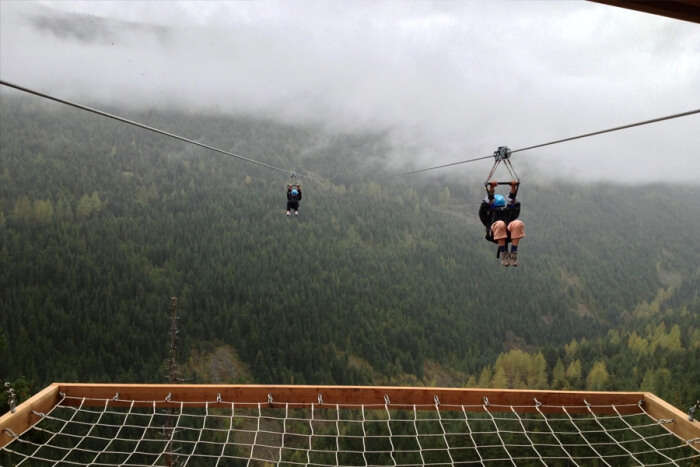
{"x": 198, "y": 395}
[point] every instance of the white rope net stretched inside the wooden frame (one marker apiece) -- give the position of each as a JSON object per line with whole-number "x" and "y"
{"x": 107, "y": 432}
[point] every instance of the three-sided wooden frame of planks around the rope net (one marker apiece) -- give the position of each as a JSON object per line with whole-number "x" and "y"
{"x": 472, "y": 399}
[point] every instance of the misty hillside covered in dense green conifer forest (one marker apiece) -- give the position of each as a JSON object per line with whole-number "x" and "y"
{"x": 378, "y": 281}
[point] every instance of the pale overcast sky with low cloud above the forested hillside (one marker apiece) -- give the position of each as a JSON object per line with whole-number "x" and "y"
{"x": 450, "y": 80}
